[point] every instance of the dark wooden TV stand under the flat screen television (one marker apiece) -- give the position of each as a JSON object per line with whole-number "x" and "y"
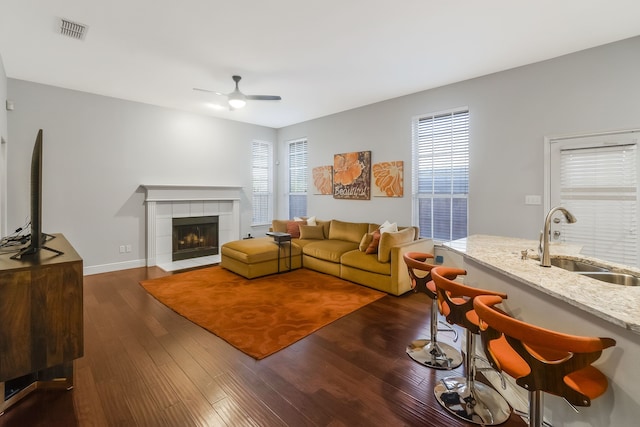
{"x": 41, "y": 321}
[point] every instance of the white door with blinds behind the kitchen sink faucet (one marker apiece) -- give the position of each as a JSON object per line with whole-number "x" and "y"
{"x": 596, "y": 178}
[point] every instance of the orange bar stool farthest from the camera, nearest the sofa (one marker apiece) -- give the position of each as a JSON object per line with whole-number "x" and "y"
{"x": 429, "y": 352}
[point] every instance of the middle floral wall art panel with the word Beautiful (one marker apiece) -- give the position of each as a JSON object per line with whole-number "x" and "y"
{"x": 352, "y": 175}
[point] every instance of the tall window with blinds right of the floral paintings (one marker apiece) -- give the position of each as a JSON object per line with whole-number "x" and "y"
{"x": 441, "y": 174}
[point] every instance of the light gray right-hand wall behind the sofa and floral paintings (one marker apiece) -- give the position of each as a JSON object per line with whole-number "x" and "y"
{"x": 511, "y": 113}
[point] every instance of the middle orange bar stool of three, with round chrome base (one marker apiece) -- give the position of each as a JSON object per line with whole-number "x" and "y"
{"x": 464, "y": 397}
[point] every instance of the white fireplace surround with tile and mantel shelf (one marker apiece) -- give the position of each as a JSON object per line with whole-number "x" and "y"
{"x": 164, "y": 202}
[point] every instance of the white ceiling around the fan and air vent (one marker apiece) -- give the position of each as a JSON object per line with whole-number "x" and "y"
{"x": 322, "y": 57}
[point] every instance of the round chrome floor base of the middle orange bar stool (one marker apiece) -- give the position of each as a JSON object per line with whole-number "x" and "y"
{"x": 479, "y": 404}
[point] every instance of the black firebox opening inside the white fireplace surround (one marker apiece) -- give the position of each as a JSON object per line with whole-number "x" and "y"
{"x": 194, "y": 237}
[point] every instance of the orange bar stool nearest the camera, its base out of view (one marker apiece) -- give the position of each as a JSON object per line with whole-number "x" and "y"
{"x": 541, "y": 361}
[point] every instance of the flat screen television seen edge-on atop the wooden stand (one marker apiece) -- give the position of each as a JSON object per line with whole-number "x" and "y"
{"x": 38, "y": 238}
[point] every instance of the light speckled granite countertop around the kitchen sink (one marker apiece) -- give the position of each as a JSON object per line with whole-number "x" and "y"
{"x": 617, "y": 304}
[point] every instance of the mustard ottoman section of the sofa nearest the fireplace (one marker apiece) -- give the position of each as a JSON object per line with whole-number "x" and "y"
{"x": 258, "y": 257}
